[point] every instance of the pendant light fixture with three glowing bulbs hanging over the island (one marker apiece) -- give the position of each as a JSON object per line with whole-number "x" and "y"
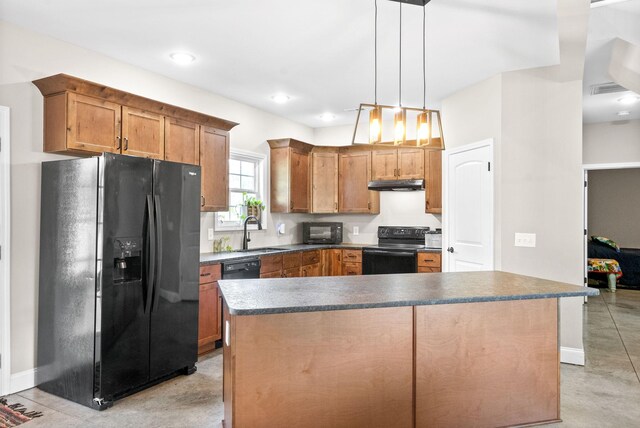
{"x": 428, "y": 122}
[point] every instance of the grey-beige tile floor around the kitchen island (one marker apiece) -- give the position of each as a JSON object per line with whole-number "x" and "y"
{"x": 604, "y": 393}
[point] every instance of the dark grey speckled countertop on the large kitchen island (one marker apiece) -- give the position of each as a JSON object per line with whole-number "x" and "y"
{"x": 286, "y": 295}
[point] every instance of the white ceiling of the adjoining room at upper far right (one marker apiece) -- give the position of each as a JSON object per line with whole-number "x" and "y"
{"x": 605, "y": 24}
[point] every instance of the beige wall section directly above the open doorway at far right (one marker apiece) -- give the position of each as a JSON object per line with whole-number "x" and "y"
{"x": 611, "y": 142}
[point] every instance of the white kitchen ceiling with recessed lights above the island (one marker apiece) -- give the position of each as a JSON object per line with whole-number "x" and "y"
{"x": 320, "y": 53}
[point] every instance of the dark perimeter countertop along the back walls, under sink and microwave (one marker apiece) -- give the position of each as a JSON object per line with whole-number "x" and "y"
{"x": 214, "y": 258}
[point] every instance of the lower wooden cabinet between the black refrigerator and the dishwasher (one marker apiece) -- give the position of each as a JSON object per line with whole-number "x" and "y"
{"x": 210, "y": 309}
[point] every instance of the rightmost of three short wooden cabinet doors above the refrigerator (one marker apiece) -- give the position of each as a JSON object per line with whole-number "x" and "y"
{"x": 181, "y": 141}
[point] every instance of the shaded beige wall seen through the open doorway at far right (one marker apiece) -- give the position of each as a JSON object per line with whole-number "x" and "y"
{"x": 614, "y": 205}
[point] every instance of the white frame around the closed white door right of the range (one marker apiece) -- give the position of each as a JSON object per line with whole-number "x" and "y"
{"x": 446, "y": 221}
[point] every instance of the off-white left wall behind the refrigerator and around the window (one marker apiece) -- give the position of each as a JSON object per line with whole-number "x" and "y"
{"x": 27, "y": 56}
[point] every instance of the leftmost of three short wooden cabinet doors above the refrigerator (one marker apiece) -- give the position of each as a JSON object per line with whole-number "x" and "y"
{"x": 93, "y": 125}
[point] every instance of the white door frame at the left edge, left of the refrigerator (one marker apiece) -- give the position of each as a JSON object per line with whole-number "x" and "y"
{"x": 5, "y": 261}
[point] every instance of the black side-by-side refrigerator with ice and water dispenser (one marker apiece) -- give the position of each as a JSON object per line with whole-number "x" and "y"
{"x": 119, "y": 273}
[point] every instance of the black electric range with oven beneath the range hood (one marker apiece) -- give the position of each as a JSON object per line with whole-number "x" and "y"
{"x": 396, "y": 252}
